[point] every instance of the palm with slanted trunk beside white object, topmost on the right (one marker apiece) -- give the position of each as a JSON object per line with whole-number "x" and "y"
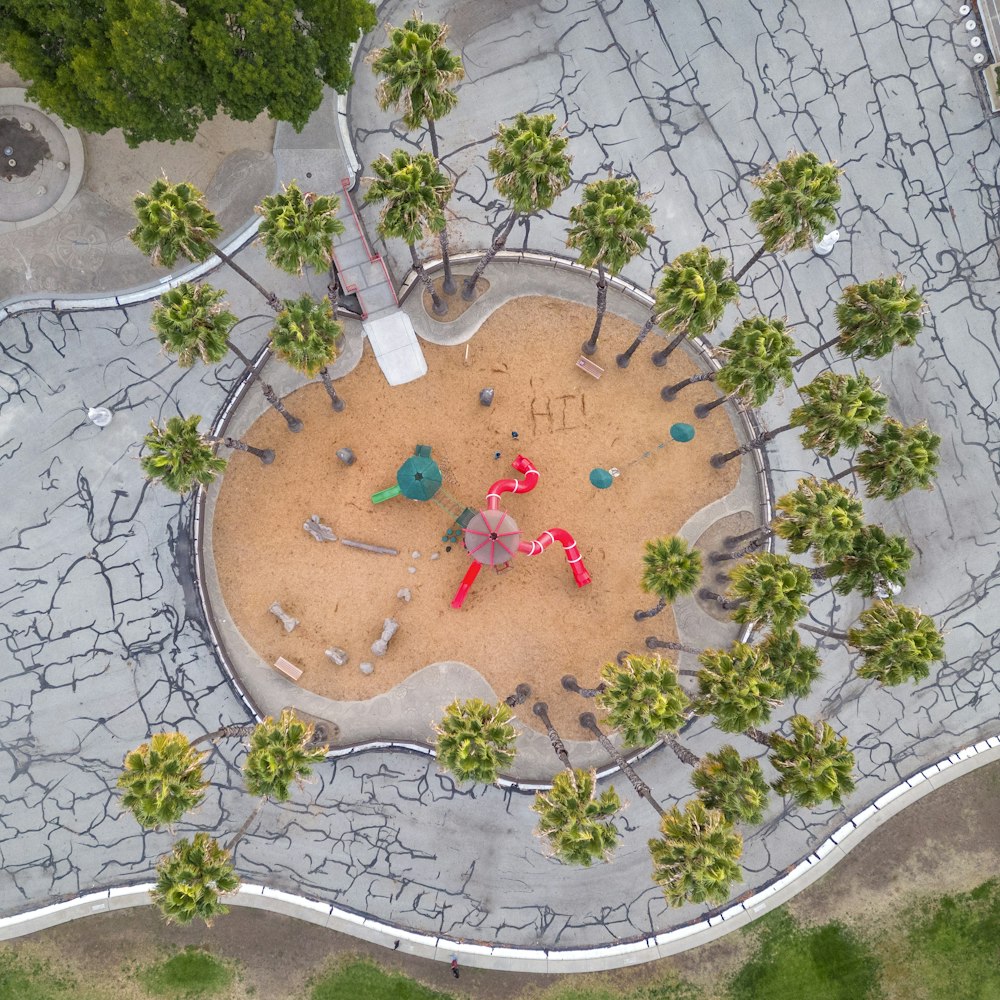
{"x": 796, "y": 206}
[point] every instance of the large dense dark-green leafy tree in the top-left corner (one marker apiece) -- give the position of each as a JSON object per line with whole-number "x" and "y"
{"x": 157, "y": 70}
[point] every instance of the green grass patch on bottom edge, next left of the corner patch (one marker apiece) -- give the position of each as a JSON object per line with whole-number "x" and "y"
{"x": 828, "y": 962}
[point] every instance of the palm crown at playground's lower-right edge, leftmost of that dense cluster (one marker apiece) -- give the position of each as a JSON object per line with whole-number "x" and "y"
{"x": 642, "y": 698}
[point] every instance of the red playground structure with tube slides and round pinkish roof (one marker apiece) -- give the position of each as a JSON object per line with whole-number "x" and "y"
{"x": 492, "y": 537}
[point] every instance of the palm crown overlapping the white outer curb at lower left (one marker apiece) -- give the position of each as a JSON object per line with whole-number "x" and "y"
{"x": 191, "y": 880}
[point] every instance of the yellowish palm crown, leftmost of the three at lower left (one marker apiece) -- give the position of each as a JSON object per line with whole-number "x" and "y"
{"x": 162, "y": 779}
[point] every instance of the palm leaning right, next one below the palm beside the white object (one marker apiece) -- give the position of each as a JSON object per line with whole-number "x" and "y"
{"x": 875, "y": 317}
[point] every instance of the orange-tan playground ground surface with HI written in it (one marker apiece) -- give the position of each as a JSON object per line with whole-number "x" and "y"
{"x": 528, "y": 624}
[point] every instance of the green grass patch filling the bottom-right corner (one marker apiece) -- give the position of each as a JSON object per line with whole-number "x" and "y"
{"x": 951, "y": 948}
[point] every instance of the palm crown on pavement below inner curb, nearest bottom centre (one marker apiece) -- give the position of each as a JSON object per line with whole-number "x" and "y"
{"x": 576, "y": 821}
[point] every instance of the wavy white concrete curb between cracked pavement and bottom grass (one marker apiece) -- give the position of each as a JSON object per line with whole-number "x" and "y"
{"x": 482, "y": 955}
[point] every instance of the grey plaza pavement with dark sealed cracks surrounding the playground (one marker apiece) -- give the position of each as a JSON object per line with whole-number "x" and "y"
{"x": 103, "y": 638}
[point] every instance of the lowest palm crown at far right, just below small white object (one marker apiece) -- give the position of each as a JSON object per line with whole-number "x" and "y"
{"x": 898, "y": 643}
